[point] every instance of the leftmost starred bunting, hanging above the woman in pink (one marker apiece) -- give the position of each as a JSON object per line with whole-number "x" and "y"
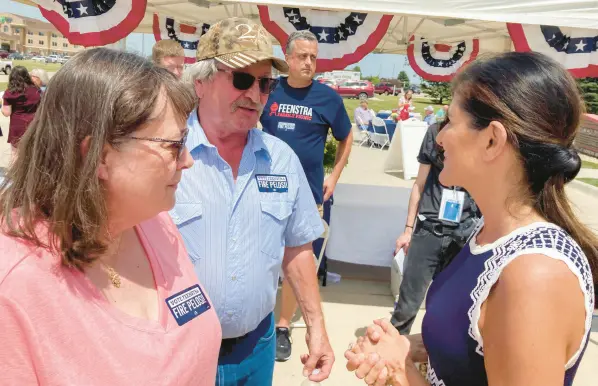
{"x": 93, "y": 22}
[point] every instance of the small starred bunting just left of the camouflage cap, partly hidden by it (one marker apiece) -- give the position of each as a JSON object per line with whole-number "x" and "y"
{"x": 187, "y": 35}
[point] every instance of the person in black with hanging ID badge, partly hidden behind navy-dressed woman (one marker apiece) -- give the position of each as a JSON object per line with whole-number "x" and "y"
{"x": 439, "y": 221}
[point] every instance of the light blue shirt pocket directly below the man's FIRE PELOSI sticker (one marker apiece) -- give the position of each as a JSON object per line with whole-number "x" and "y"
{"x": 273, "y": 222}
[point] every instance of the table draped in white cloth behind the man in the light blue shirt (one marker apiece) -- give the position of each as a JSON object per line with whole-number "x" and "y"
{"x": 365, "y": 222}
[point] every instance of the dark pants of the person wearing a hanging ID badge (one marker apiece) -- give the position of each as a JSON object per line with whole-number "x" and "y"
{"x": 428, "y": 254}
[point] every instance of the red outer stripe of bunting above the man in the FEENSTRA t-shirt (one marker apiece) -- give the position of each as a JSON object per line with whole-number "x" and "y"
{"x": 323, "y": 65}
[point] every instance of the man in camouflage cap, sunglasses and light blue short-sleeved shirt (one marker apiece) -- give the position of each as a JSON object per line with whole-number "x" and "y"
{"x": 245, "y": 207}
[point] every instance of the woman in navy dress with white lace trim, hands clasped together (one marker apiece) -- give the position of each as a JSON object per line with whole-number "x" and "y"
{"x": 515, "y": 306}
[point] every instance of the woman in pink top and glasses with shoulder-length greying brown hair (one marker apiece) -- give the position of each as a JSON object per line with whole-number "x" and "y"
{"x": 96, "y": 287}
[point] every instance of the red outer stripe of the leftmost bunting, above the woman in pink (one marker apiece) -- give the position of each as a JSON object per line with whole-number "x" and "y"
{"x": 109, "y": 36}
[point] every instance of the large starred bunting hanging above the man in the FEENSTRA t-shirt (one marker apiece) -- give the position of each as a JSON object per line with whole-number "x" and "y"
{"x": 344, "y": 37}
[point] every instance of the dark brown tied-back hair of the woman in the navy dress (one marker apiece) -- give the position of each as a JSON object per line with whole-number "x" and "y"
{"x": 539, "y": 104}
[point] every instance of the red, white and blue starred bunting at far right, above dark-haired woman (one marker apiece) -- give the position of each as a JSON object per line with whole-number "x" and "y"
{"x": 574, "y": 48}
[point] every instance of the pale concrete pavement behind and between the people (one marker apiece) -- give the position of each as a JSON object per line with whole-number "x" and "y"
{"x": 351, "y": 305}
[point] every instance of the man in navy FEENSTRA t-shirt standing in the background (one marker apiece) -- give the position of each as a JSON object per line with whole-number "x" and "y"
{"x": 300, "y": 112}
